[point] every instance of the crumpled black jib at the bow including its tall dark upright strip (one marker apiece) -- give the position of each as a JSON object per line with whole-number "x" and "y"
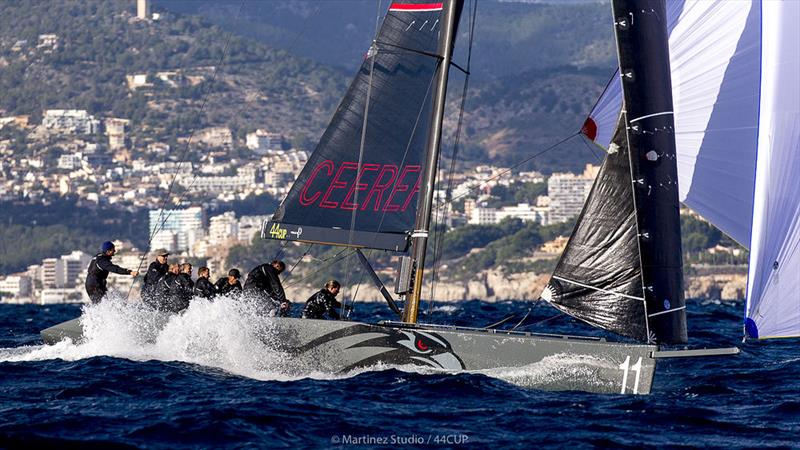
{"x": 622, "y": 268}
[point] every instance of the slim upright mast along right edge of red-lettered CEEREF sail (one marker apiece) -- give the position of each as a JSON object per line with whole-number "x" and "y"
{"x": 419, "y": 238}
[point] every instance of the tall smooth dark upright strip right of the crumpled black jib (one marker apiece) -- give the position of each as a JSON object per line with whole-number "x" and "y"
{"x": 643, "y": 51}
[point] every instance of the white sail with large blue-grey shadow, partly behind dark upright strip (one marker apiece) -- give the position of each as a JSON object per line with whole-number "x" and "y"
{"x": 714, "y": 58}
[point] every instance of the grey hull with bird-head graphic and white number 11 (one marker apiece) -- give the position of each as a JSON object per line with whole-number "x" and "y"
{"x": 550, "y": 362}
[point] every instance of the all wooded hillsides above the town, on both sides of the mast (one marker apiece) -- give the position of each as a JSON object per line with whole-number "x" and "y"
{"x": 542, "y": 89}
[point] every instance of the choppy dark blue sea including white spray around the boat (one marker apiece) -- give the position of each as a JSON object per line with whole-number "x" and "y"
{"x": 204, "y": 379}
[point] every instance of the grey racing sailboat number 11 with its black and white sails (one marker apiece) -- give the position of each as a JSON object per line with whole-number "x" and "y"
{"x": 369, "y": 184}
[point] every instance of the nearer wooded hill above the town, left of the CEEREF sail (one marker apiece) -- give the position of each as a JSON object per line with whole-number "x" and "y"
{"x": 100, "y": 43}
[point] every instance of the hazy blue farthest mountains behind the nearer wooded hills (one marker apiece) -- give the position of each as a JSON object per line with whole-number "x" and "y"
{"x": 510, "y": 37}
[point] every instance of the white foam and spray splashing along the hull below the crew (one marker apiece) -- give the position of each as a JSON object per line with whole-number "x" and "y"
{"x": 228, "y": 334}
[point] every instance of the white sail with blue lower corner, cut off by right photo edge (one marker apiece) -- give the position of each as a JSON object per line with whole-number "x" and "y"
{"x": 773, "y": 293}
